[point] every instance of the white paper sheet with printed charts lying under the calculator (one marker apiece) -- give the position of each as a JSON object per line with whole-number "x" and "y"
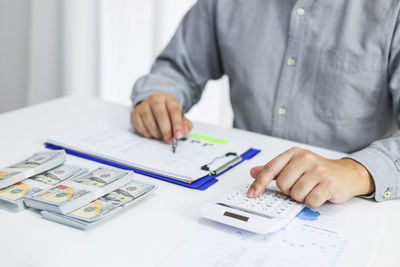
{"x": 337, "y": 236}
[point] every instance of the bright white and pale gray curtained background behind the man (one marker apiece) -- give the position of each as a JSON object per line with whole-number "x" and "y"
{"x": 51, "y": 48}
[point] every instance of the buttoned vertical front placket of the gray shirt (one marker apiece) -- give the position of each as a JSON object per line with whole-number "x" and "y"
{"x": 291, "y": 63}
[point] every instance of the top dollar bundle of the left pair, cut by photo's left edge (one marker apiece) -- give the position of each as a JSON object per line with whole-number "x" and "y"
{"x": 38, "y": 163}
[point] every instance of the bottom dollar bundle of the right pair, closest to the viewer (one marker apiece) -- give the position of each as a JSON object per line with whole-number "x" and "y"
{"x": 104, "y": 207}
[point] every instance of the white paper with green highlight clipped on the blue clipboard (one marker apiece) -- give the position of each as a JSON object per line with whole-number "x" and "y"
{"x": 119, "y": 144}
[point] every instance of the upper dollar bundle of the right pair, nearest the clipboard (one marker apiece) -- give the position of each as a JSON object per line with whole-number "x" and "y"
{"x": 75, "y": 193}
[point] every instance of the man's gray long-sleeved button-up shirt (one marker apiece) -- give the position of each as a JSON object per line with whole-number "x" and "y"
{"x": 322, "y": 72}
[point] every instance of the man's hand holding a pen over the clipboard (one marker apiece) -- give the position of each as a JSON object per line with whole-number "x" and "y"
{"x": 160, "y": 116}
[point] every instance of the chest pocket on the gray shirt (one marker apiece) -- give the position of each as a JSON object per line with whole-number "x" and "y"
{"x": 347, "y": 85}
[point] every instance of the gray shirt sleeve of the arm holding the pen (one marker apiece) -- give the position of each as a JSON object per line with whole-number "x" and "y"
{"x": 188, "y": 62}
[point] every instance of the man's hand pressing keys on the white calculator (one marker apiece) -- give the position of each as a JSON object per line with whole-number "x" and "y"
{"x": 312, "y": 179}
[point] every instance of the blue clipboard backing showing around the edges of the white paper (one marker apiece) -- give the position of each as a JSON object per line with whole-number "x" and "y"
{"x": 200, "y": 184}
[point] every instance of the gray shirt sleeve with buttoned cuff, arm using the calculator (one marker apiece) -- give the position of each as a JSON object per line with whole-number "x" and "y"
{"x": 382, "y": 157}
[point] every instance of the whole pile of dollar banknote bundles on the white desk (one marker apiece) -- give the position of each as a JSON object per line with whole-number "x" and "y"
{"x": 67, "y": 193}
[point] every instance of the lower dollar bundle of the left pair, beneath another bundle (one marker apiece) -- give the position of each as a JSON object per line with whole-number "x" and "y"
{"x": 12, "y": 197}
